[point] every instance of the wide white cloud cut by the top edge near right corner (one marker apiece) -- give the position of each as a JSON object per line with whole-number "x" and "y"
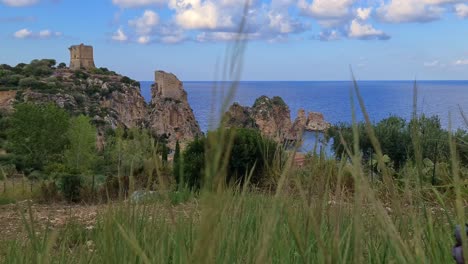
{"x": 403, "y": 11}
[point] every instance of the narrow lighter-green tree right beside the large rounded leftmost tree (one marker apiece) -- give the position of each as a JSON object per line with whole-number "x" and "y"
{"x": 80, "y": 156}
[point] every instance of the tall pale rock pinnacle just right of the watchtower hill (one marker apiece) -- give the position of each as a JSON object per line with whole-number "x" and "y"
{"x": 170, "y": 114}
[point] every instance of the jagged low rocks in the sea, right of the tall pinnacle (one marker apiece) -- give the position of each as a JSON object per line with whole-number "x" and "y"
{"x": 273, "y": 118}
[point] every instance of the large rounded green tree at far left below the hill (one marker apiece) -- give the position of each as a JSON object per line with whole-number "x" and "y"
{"x": 38, "y": 134}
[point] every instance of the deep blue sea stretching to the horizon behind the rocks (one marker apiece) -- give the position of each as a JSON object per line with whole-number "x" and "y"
{"x": 334, "y": 99}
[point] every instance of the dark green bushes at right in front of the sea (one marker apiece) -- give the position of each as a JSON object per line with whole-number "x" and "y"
{"x": 396, "y": 138}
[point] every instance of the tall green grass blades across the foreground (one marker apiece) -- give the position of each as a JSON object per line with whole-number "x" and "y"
{"x": 327, "y": 212}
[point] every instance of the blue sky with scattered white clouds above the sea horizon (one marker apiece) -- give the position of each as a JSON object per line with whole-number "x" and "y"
{"x": 287, "y": 40}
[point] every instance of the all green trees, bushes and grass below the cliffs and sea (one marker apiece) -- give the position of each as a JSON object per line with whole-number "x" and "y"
{"x": 240, "y": 199}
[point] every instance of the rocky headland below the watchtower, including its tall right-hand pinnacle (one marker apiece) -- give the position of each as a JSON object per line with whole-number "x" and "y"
{"x": 110, "y": 99}
